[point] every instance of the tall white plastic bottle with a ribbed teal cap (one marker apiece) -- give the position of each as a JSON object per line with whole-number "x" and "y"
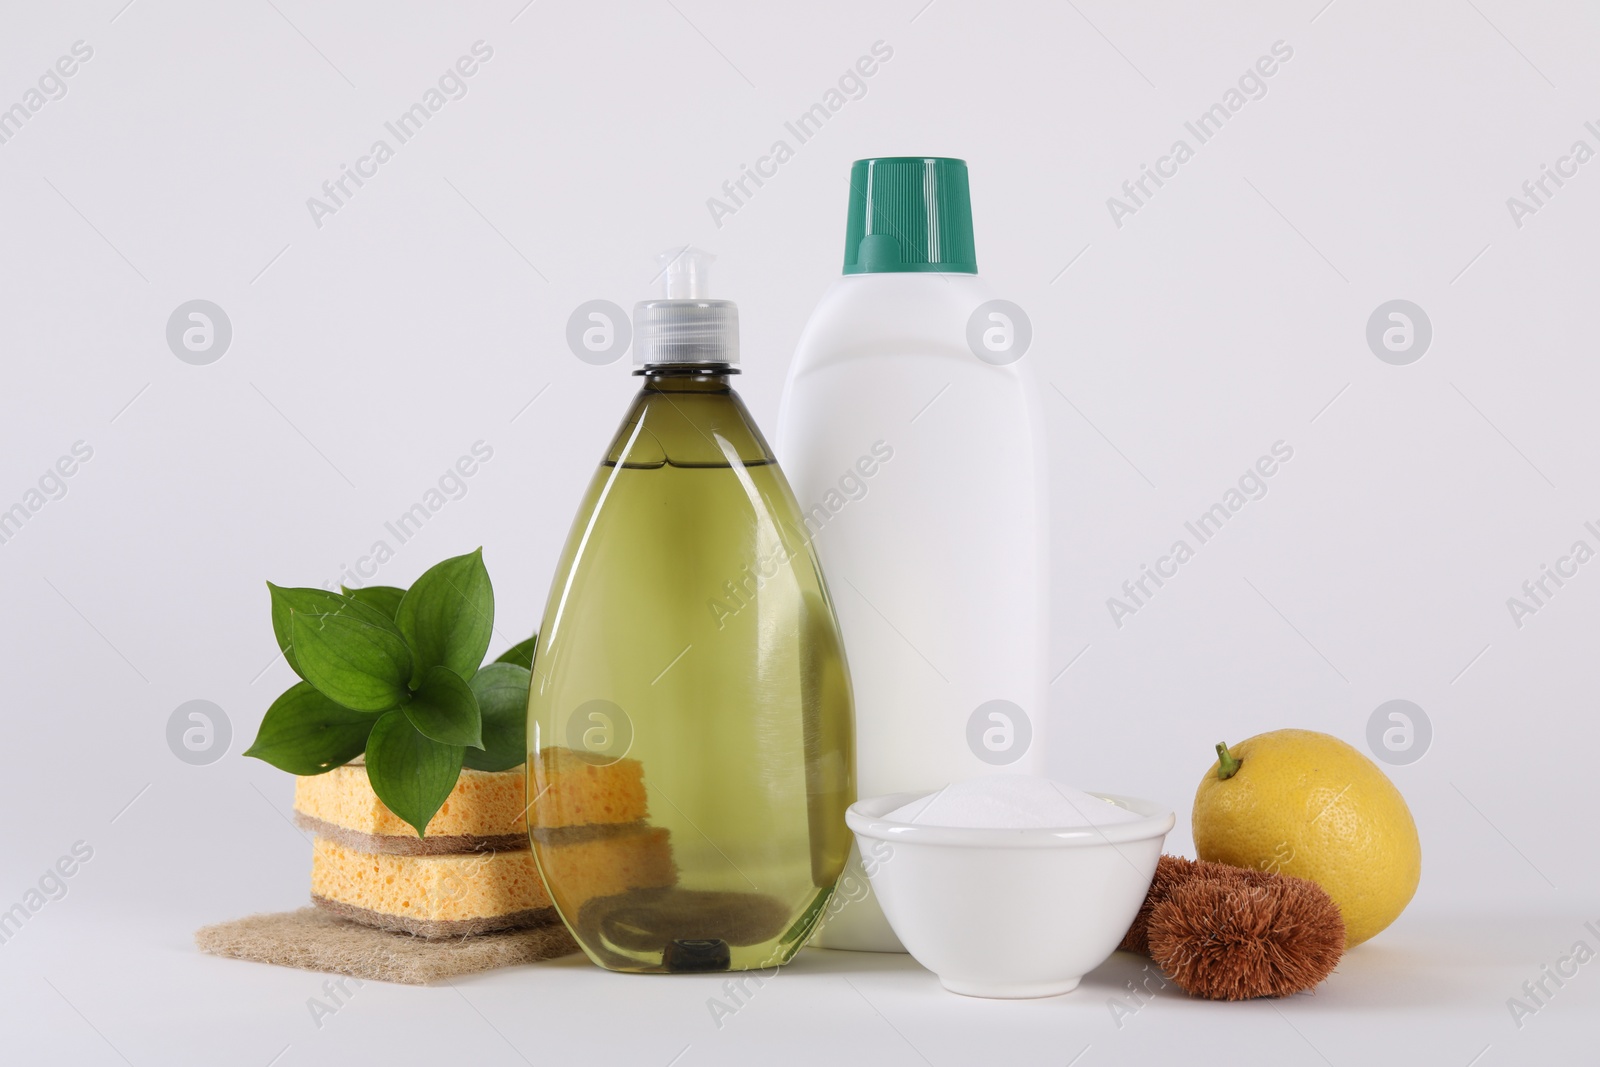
{"x": 913, "y": 436}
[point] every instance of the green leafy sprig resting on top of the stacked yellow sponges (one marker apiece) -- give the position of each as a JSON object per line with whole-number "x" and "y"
{"x": 398, "y": 676}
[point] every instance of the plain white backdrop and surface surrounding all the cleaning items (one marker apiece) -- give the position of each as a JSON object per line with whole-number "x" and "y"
{"x": 370, "y": 353}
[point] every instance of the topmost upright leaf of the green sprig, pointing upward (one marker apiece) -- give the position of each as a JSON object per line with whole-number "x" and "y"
{"x": 447, "y": 617}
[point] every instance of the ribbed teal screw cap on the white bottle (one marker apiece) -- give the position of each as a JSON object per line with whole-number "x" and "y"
{"x": 910, "y": 214}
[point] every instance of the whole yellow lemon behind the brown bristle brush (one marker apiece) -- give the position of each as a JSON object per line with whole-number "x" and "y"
{"x": 1308, "y": 805}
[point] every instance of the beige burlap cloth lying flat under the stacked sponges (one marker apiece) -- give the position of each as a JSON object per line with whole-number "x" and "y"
{"x": 316, "y": 941}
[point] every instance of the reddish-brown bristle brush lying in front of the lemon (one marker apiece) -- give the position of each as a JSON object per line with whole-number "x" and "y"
{"x": 1231, "y": 933}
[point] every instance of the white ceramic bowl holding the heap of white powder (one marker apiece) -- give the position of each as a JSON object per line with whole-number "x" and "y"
{"x": 1010, "y": 913}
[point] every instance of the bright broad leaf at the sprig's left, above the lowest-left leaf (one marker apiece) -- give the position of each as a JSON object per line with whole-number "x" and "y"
{"x": 353, "y": 661}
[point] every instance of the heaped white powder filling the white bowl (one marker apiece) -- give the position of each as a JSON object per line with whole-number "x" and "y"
{"x": 1012, "y": 802}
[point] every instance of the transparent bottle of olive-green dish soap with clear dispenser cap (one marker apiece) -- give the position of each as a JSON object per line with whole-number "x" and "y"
{"x": 690, "y": 714}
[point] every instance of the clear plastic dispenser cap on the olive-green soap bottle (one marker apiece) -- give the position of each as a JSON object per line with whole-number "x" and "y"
{"x": 686, "y": 326}
